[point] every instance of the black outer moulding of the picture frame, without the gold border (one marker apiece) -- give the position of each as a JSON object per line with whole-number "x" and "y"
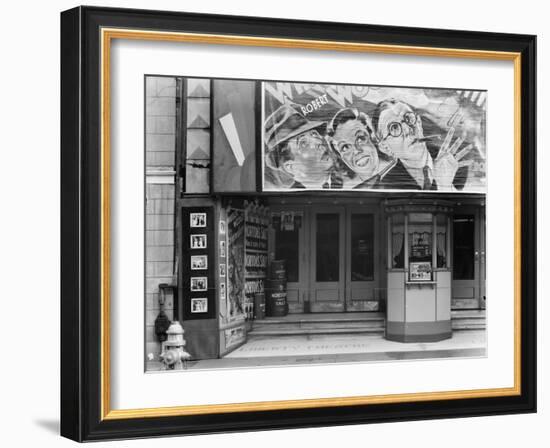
{"x": 83, "y": 408}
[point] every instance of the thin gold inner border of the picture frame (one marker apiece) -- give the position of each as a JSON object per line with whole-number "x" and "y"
{"x": 107, "y": 35}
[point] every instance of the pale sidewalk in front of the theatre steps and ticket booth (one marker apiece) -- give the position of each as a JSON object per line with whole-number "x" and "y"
{"x": 323, "y": 349}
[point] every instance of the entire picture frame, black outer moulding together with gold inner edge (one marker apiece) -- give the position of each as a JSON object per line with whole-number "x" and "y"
{"x": 86, "y": 35}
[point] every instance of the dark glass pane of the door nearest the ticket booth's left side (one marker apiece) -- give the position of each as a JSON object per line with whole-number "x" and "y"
{"x": 362, "y": 247}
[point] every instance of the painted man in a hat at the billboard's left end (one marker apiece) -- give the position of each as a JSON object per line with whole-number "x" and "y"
{"x": 296, "y": 154}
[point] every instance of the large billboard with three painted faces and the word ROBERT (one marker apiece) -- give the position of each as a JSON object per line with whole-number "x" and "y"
{"x": 322, "y": 136}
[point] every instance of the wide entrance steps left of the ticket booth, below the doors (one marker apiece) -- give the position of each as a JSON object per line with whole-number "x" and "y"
{"x": 319, "y": 323}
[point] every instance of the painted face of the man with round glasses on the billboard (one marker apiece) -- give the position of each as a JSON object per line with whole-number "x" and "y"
{"x": 400, "y": 132}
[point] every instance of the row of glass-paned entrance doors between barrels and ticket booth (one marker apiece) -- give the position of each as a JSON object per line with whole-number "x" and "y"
{"x": 330, "y": 258}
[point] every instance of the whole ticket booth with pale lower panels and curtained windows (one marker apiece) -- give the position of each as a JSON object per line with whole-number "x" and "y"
{"x": 419, "y": 271}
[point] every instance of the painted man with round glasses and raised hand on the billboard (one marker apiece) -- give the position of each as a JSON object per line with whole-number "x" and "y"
{"x": 400, "y": 135}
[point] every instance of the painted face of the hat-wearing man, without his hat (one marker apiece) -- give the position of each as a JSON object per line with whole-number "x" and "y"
{"x": 311, "y": 159}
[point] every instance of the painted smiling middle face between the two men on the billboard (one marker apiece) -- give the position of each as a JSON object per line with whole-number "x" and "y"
{"x": 355, "y": 147}
